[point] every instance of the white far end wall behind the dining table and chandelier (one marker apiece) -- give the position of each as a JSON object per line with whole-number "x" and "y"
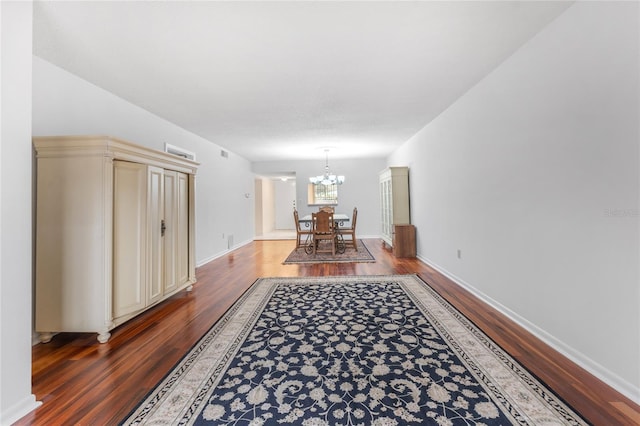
{"x": 361, "y": 187}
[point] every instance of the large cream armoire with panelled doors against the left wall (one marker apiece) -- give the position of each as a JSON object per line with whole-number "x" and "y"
{"x": 114, "y": 232}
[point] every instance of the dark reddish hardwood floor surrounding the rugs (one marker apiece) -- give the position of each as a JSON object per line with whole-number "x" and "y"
{"x": 81, "y": 381}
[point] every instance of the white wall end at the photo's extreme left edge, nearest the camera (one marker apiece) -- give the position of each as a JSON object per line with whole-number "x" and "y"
{"x": 16, "y": 399}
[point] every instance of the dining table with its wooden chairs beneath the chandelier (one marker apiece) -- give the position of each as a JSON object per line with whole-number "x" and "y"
{"x": 326, "y": 231}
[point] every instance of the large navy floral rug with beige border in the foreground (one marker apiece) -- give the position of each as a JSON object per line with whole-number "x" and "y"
{"x": 361, "y": 350}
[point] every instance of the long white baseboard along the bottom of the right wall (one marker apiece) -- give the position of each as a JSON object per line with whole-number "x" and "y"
{"x": 607, "y": 376}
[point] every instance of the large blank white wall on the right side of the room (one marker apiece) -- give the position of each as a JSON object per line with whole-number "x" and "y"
{"x": 534, "y": 175}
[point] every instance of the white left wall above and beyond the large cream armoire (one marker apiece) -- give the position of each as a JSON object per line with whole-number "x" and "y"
{"x": 64, "y": 104}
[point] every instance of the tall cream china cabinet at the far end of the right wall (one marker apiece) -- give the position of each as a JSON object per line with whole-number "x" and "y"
{"x": 394, "y": 200}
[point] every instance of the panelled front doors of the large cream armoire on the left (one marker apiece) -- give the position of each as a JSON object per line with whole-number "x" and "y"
{"x": 151, "y": 235}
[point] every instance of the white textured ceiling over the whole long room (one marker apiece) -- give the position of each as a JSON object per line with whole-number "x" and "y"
{"x": 283, "y": 80}
